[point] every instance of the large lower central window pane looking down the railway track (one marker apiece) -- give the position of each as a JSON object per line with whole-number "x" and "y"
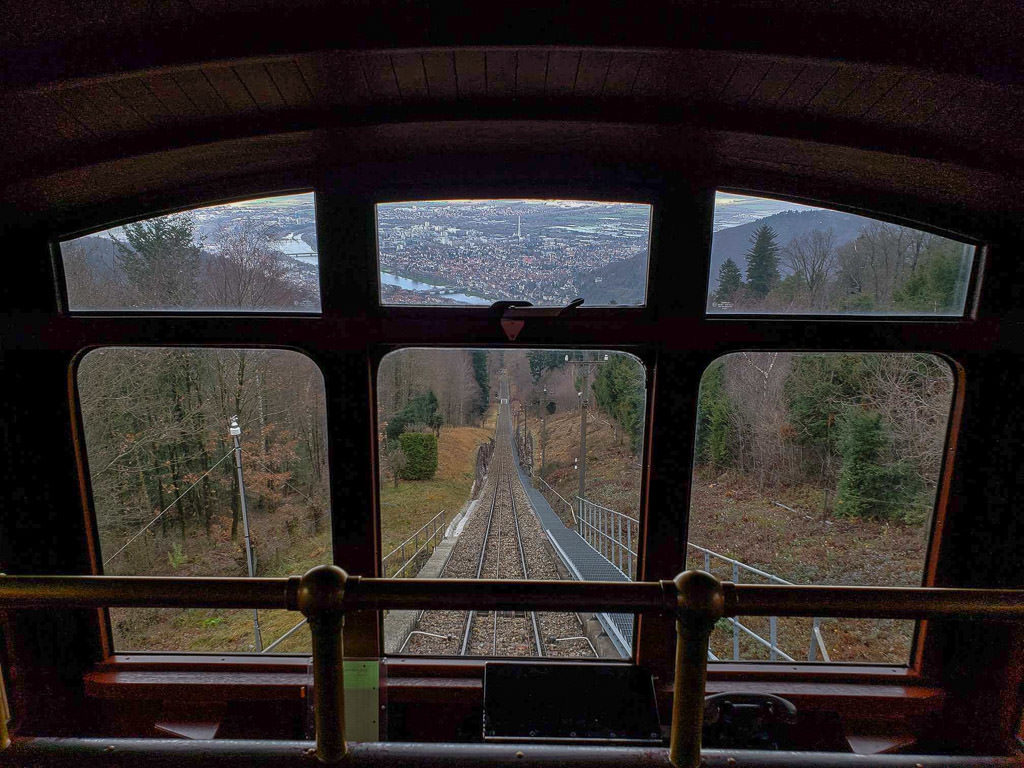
{"x": 483, "y": 474}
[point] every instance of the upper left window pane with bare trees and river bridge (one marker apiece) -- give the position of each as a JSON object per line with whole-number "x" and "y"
{"x": 250, "y": 257}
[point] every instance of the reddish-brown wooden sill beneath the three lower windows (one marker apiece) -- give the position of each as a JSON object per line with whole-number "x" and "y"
{"x": 858, "y": 694}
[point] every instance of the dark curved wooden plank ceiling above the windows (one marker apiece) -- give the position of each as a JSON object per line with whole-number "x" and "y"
{"x": 158, "y": 95}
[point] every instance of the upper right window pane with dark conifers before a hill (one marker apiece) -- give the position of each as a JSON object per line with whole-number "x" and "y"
{"x": 775, "y": 258}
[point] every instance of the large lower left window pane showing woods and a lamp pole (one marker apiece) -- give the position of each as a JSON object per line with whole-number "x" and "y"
{"x": 169, "y": 497}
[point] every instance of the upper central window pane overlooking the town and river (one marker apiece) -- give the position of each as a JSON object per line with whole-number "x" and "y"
{"x": 547, "y": 252}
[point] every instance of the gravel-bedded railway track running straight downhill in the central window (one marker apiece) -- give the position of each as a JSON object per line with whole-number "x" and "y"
{"x": 502, "y": 540}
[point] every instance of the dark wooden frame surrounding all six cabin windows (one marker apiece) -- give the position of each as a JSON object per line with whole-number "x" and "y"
{"x": 52, "y": 654}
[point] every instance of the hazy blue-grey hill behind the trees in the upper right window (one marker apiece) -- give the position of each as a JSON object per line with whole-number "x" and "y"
{"x": 735, "y": 242}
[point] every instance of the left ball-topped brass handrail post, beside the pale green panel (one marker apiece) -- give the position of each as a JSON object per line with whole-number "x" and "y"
{"x": 321, "y": 599}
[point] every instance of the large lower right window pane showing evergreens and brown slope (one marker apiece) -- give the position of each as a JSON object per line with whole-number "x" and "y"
{"x": 818, "y": 468}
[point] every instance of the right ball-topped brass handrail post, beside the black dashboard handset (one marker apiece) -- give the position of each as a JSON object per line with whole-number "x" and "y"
{"x": 700, "y": 604}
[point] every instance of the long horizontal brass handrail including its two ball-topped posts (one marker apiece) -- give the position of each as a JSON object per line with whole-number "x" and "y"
{"x": 697, "y": 599}
